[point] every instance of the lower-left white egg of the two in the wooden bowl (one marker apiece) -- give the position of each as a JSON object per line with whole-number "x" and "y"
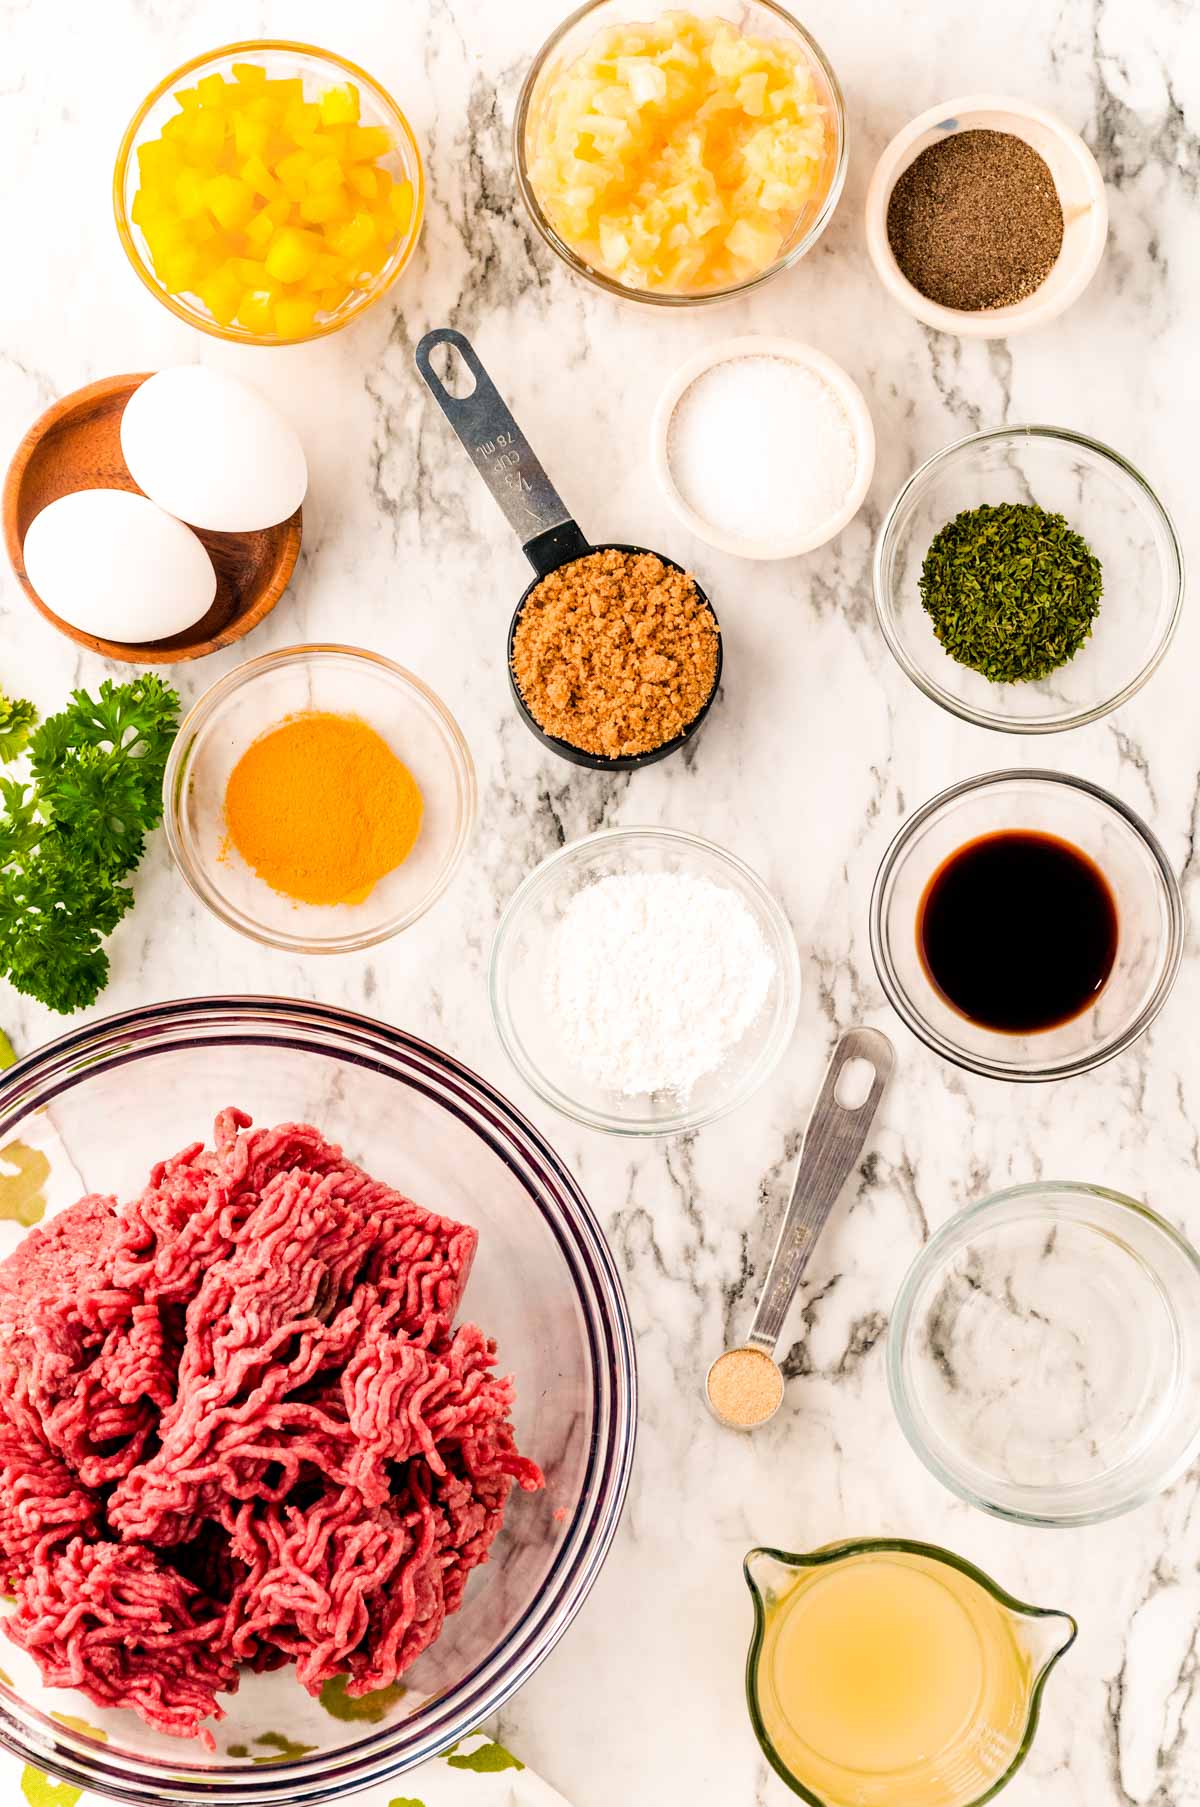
{"x": 117, "y": 566}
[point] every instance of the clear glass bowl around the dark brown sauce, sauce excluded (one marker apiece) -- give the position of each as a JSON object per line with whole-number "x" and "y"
{"x": 1150, "y": 921}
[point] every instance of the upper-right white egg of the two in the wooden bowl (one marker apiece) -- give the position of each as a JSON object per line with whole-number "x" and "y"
{"x": 212, "y": 451}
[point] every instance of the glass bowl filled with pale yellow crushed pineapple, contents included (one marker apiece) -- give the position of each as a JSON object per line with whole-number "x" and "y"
{"x": 680, "y": 154}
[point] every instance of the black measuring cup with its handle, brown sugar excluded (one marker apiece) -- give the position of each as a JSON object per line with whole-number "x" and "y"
{"x": 541, "y": 521}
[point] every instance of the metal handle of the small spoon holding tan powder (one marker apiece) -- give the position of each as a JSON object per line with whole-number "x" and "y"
{"x": 832, "y": 1147}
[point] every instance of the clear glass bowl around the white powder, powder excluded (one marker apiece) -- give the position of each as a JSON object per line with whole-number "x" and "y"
{"x": 525, "y": 1020}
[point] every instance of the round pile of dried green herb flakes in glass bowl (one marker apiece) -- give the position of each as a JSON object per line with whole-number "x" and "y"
{"x": 1011, "y": 590}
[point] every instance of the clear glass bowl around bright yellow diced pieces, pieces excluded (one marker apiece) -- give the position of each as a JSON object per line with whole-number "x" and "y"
{"x": 319, "y": 71}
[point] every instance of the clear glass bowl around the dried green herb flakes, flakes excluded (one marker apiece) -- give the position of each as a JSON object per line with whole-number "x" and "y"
{"x": 1103, "y": 500}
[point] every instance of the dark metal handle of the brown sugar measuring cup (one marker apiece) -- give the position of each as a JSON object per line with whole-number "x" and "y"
{"x": 503, "y": 458}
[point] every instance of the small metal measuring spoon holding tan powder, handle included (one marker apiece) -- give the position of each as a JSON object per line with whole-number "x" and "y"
{"x": 749, "y": 1376}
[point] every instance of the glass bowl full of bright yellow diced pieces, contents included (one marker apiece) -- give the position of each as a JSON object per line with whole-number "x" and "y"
{"x": 268, "y": 192}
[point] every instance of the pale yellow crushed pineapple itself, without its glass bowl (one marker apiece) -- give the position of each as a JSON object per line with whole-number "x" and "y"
{"x": 680, "y": 154}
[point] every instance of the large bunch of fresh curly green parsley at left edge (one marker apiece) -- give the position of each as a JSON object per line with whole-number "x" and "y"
{"x": 70, "y": 838}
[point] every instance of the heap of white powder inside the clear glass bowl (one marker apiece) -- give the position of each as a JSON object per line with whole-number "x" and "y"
{"x": 653, "y": 980}
